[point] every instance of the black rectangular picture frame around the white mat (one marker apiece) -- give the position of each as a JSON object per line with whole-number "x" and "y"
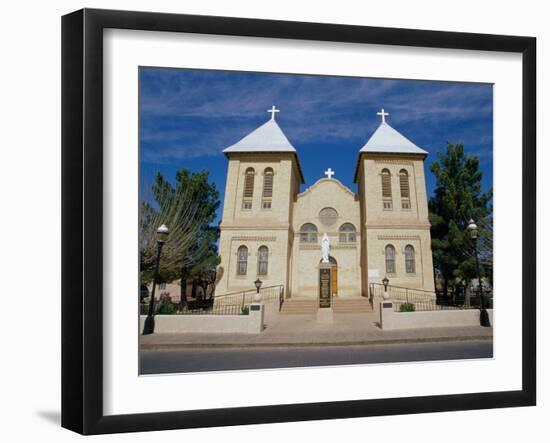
{"x": 82, "y": 218}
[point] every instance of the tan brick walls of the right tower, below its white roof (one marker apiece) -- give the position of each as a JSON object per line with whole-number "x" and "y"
{"x": 397, "y": 226}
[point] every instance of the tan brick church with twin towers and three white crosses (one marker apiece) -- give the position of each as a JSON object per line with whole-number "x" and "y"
{"x": 350, "y": 238}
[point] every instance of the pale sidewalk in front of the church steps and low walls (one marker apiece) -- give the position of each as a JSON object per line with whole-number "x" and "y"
{"x": 300, "y": 330}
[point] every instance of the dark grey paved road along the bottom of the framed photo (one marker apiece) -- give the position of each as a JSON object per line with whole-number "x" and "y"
{"x": 220, "y": 359}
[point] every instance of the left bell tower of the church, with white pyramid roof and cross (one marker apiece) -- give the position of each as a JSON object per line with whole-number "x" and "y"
{"x": 263, "y": 179}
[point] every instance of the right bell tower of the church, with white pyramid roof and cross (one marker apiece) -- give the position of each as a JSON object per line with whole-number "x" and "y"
{"x": 394, "y": 210}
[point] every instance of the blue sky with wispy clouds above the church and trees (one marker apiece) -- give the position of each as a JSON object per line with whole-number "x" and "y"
{"x": 187, "y": 117}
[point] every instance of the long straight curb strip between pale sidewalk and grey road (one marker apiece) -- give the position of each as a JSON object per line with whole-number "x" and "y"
{"x": 194, "y": 345}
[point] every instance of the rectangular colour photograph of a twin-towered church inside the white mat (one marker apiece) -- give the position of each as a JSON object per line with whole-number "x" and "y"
{"x": 312, "y": 213}
